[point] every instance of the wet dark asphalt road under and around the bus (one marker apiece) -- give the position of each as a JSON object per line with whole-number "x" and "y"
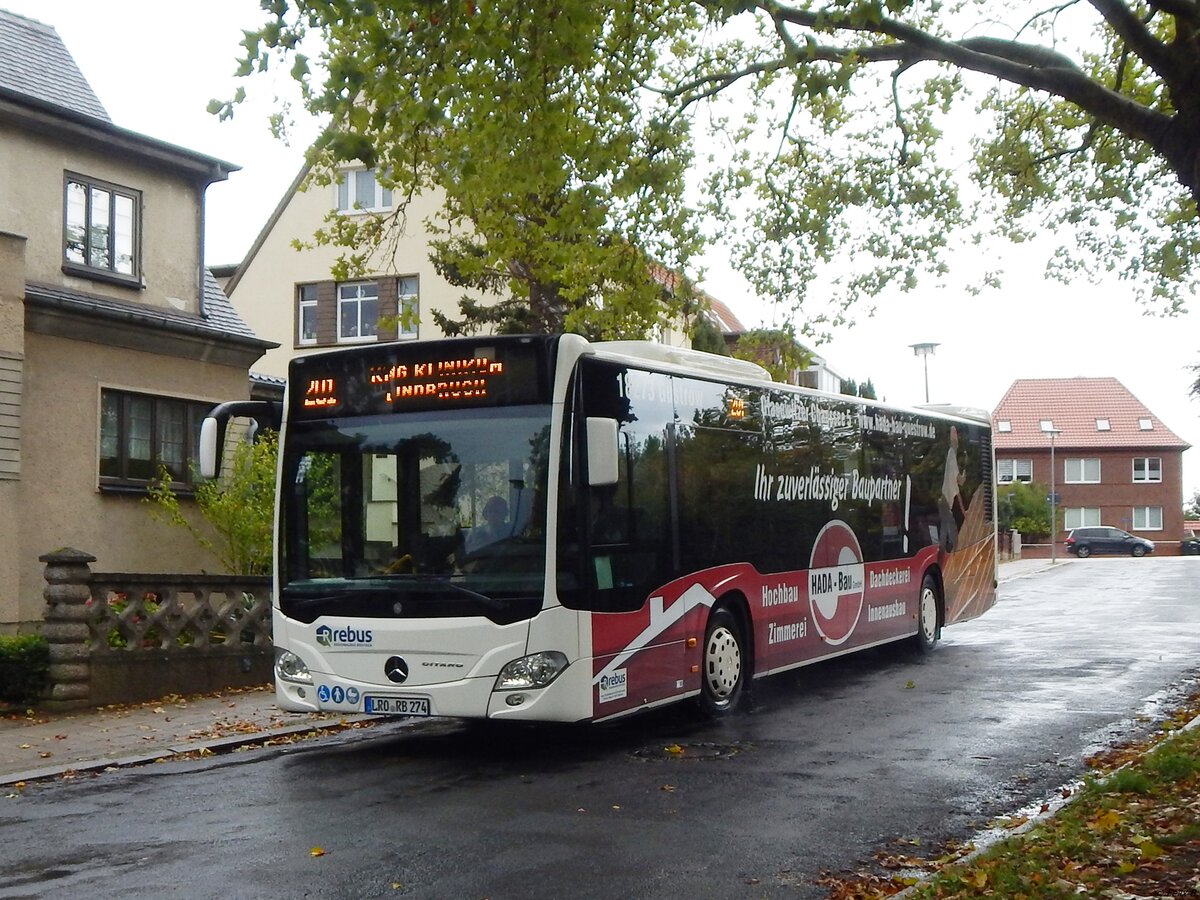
{"x": 833, "y": 764}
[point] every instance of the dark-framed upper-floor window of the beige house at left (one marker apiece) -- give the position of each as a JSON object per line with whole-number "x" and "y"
{"x": 101, "y": 225}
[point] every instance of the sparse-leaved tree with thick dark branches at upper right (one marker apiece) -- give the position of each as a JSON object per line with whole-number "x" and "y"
{"x": 1083, "y": 117}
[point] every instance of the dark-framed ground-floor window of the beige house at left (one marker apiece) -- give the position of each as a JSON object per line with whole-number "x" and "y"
{"x": 141, "y": 435}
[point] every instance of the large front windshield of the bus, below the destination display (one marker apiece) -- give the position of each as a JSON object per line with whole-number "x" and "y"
{"x": 440, "y": 514}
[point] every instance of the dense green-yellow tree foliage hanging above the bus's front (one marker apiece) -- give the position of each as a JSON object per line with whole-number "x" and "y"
{"x": 562, "y": 190}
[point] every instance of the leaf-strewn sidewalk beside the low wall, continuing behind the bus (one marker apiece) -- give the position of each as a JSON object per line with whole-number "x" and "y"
{"x": 41, "y": 746}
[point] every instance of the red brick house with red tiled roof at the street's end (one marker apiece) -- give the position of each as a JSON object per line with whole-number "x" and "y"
{"x": 1115, "y": 463}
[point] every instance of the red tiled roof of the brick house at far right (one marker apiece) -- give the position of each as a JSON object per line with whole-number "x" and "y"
{"x": 1075, "y": 407}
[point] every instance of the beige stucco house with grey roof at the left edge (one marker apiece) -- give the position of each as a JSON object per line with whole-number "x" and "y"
{"x": 115, "y": 339}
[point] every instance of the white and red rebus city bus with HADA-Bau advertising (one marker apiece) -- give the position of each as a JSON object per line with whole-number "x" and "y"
{"x": 544, "y": 529}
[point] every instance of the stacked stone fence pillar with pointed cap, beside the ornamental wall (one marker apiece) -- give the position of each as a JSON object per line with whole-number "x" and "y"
{"x": 68, "y": 595}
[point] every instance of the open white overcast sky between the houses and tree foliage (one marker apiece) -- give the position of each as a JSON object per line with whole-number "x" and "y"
{"x": 155, "y": 65}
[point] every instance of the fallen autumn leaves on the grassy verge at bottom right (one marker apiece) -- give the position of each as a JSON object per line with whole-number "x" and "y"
{"x": 1132, "y": 831}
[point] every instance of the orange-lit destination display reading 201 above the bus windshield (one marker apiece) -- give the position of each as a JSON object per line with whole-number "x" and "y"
{"x": 419, "y": 377}
